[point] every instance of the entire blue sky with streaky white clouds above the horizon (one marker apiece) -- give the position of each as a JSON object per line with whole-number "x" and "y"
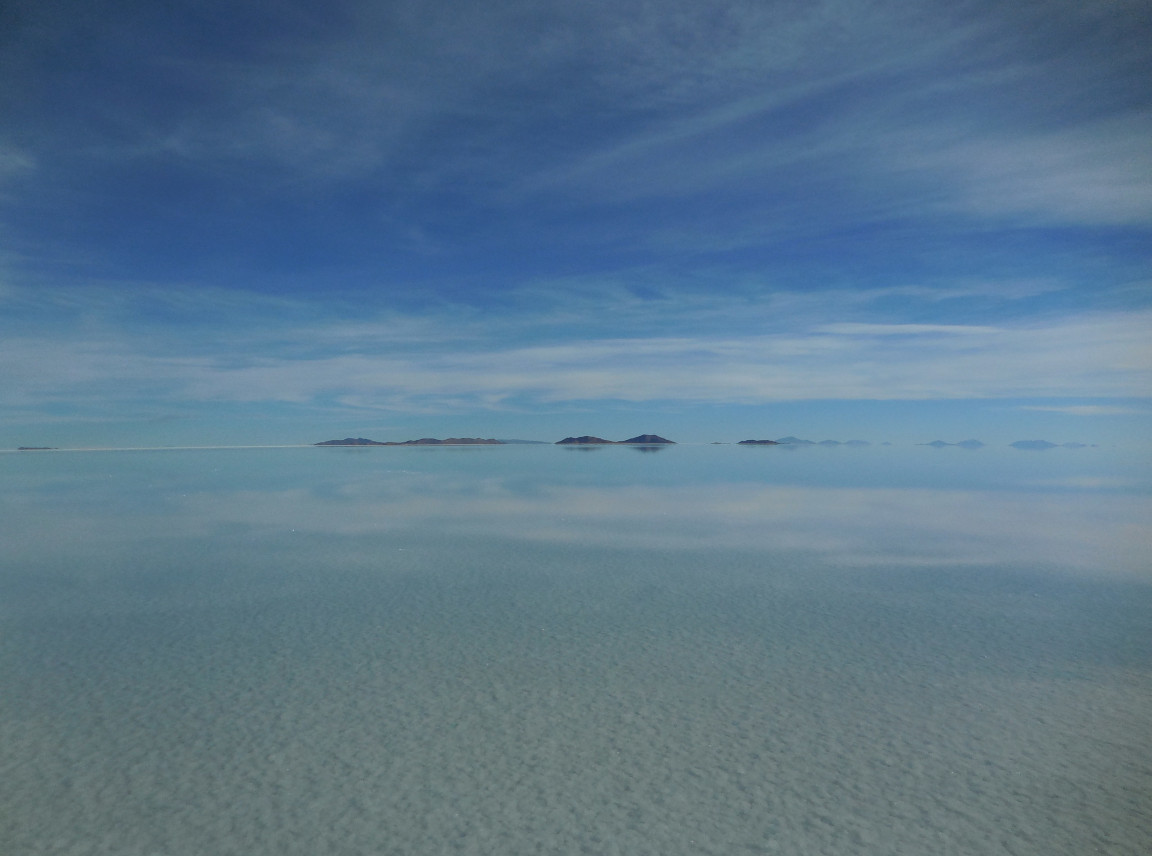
{"x": 282, "y": 223}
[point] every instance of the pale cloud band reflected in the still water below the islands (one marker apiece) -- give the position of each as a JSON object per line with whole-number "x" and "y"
{"x": 1093, "y": 534}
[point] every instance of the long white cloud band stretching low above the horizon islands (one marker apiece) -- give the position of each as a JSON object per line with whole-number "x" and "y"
{"x": 459, "y": 361}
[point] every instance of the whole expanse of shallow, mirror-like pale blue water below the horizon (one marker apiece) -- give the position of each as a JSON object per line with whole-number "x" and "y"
{"x": 542, "y": 650}
